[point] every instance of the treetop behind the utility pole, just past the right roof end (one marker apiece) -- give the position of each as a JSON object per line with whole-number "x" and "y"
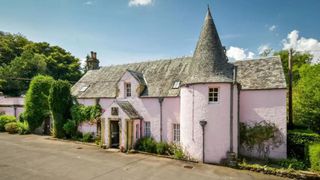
{"x": 299, "y": 59}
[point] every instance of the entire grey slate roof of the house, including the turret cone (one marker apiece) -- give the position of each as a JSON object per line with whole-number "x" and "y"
{"x": 209, "y": 64}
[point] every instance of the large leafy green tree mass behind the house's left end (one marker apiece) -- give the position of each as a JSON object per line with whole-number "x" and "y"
{"x": 21, "y": 60}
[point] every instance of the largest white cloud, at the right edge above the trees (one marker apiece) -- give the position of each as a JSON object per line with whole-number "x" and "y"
{"x": 302, "y": 44}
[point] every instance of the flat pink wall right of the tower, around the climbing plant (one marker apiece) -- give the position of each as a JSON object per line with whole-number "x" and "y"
{"x": 269, "y": 105}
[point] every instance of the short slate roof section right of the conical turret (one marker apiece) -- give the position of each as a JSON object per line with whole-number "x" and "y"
{"x": 263, "y": 73}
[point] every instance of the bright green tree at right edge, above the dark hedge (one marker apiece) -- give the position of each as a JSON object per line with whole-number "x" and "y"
{"x": 306, "y": 97}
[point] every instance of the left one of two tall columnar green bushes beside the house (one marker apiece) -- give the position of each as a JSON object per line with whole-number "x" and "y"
{"x": 36, "y": 101}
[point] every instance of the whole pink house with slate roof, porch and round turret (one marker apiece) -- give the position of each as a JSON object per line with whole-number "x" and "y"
{"x": 195, "y": 101}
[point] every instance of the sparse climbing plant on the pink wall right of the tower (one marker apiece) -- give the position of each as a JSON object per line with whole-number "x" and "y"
{"x": 260, "y": 136}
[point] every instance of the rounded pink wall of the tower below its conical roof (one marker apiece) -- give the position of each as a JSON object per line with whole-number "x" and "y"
{"x": 217, "y": 115}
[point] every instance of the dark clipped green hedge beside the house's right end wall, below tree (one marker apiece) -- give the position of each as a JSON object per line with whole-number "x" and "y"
{"x": 298, "y": 141}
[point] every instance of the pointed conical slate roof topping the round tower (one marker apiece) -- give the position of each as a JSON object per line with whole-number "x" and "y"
{"x": 210, "y": 63}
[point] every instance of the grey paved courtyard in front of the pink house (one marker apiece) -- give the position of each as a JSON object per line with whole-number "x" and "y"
{"x": 37, "y": 157}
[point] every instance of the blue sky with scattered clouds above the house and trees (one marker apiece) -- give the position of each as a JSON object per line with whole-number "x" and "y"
{"x": 121, "y": 31}
